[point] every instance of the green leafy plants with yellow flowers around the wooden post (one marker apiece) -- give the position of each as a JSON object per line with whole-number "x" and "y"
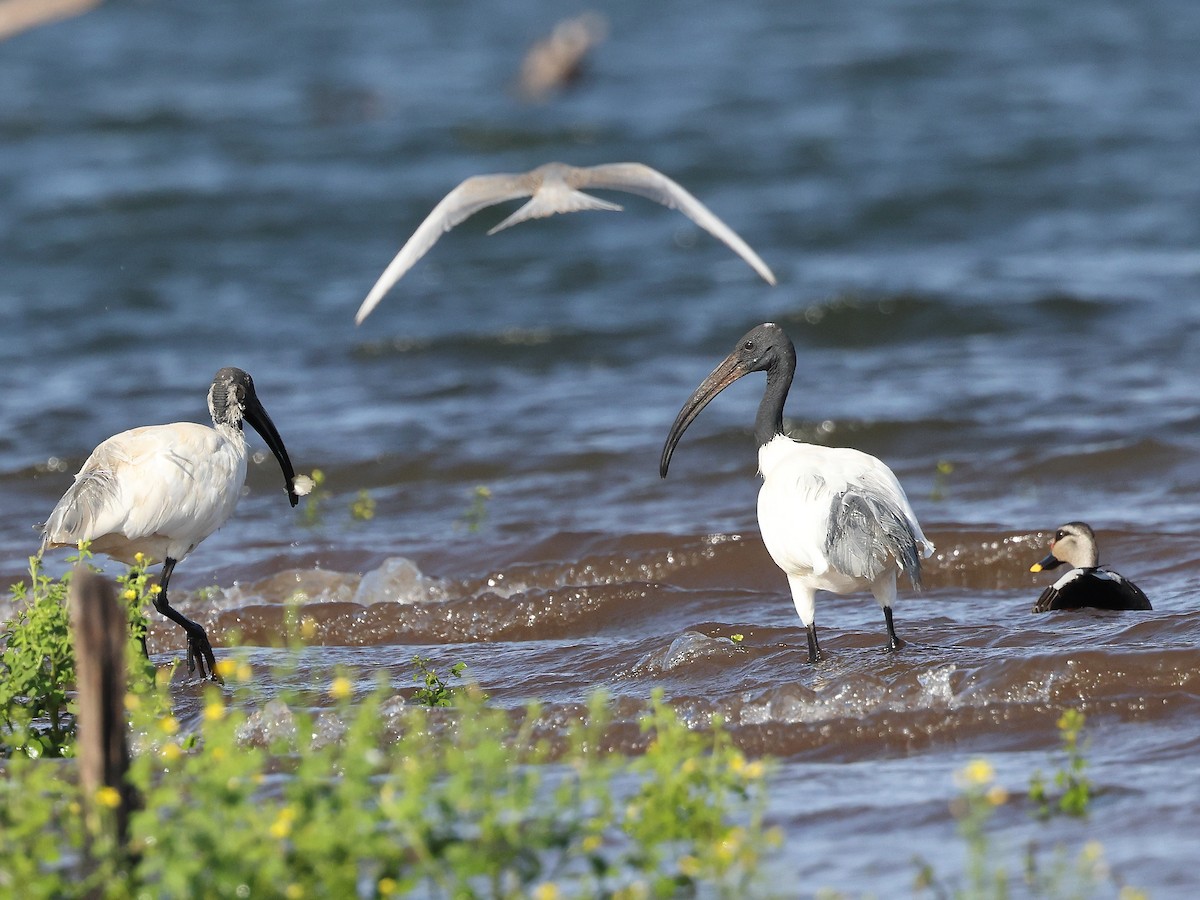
{"x": 358, "y": 797}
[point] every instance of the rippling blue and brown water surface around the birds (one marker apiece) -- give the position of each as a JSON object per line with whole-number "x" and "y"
{"x": 986, "y": 224}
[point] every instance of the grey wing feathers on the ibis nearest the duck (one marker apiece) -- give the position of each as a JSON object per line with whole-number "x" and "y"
{"x": 868, "y": 531}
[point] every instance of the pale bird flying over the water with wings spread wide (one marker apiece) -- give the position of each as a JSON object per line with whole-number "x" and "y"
{"x": 554, "y": 188}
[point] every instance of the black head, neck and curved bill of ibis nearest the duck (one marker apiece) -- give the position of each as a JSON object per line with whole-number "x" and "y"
{"x": 764, "y": 349}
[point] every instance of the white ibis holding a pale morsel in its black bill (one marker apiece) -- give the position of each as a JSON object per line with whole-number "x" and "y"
{"x": 164, "y": 489}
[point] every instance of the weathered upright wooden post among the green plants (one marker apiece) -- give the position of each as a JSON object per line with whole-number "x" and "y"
{"x": 100, "y": 632}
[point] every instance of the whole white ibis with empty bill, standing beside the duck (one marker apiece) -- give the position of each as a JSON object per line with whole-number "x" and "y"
{"x": 833, "y": 519}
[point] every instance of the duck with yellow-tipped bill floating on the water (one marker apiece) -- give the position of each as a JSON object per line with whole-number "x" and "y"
{"x": 1087, "y": 584}
